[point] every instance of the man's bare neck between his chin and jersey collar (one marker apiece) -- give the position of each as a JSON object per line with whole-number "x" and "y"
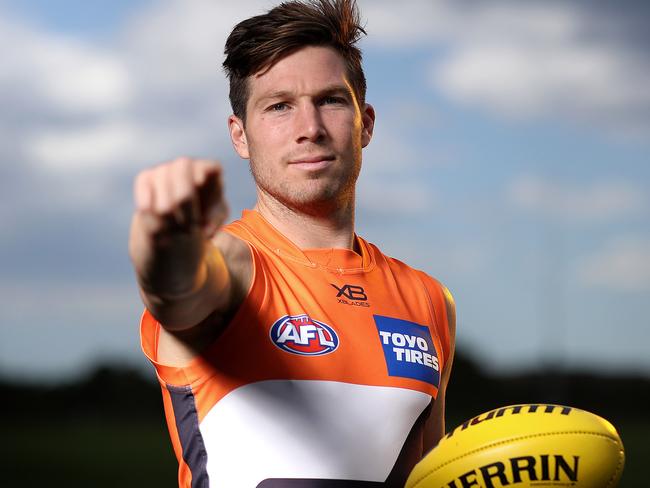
{"x": 310, "y": 230}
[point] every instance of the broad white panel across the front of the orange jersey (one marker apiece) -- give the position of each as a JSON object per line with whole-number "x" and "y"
{"x": 308, "y": 429}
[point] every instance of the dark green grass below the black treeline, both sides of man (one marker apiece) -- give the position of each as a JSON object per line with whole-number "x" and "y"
{"x": 90, "y": 452}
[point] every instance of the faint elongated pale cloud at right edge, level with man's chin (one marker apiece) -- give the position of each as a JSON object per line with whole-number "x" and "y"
{"x": 595, "y": 202}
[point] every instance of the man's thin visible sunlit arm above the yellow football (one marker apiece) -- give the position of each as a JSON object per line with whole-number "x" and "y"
{"x": 435, "y": 426}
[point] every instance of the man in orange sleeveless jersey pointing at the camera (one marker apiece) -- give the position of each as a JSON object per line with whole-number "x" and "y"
{"x": 291, "y": 352}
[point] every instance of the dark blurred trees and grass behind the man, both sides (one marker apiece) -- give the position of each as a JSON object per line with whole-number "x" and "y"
{"x": 108, "y": 429}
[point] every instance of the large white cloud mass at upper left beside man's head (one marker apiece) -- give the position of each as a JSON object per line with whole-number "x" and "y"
{"x": 155, "y": 92}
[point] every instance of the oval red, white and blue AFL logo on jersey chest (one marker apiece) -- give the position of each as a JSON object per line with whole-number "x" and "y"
{"x": 300, "y": 334}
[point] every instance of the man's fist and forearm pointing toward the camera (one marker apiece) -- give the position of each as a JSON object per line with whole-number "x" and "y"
{"x": 183, "y": 276}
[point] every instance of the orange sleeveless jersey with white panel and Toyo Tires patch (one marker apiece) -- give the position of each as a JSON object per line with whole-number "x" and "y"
{"x": 327, "y": 371}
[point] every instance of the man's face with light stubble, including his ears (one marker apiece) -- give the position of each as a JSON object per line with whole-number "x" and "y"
{"x": 304, "y": 131}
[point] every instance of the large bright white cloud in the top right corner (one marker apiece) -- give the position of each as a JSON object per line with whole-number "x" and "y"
{"x": 534, "y": 60}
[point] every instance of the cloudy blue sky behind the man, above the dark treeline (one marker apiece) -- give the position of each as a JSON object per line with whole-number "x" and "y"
{"x": 511, "y": 160}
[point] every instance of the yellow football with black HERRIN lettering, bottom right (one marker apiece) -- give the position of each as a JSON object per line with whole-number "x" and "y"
{"x": 531, "y": 445}
